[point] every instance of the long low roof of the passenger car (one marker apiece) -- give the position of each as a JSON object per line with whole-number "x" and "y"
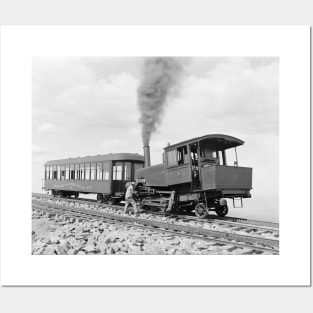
{"x": 98, "y": 158}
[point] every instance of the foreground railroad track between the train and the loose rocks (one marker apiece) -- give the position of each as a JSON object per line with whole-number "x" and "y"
{"x": 255, "y": 241}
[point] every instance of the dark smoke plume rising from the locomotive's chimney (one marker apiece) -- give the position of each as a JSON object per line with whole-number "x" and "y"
{"x": 160, "y": 79}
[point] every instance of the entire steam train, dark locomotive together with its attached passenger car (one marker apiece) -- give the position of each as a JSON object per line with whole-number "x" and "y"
{"x": 194, "y": 176}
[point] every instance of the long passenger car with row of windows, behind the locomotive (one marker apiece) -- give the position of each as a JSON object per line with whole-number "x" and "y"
{"x": 104, "y": 175}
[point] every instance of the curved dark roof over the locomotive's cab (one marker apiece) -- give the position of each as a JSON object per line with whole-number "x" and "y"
{"x": 217, "y": 141}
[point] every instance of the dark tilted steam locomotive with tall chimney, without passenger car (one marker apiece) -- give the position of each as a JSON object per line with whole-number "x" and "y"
{"x": 195, "y": 176}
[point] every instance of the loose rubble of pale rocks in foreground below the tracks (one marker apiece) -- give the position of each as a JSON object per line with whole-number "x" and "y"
{"x": 55, "y": 235}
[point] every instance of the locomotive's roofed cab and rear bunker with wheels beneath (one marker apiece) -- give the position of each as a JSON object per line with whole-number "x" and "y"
{"x": 199, "y": 171}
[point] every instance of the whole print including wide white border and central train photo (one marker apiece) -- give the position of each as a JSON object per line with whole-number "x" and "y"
{"x": 173, "y": 148}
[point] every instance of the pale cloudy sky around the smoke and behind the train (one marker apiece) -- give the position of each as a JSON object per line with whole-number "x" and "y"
{"x": 88, "y": 106}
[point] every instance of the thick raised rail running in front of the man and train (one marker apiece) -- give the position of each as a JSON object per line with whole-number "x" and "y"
{"x": 248, "y": 239}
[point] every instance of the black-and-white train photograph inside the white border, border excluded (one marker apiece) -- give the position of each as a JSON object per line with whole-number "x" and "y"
{"x": 155, "y": 155}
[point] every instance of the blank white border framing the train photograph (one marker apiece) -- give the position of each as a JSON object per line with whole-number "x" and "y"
{"x": 290, "y": 43}
